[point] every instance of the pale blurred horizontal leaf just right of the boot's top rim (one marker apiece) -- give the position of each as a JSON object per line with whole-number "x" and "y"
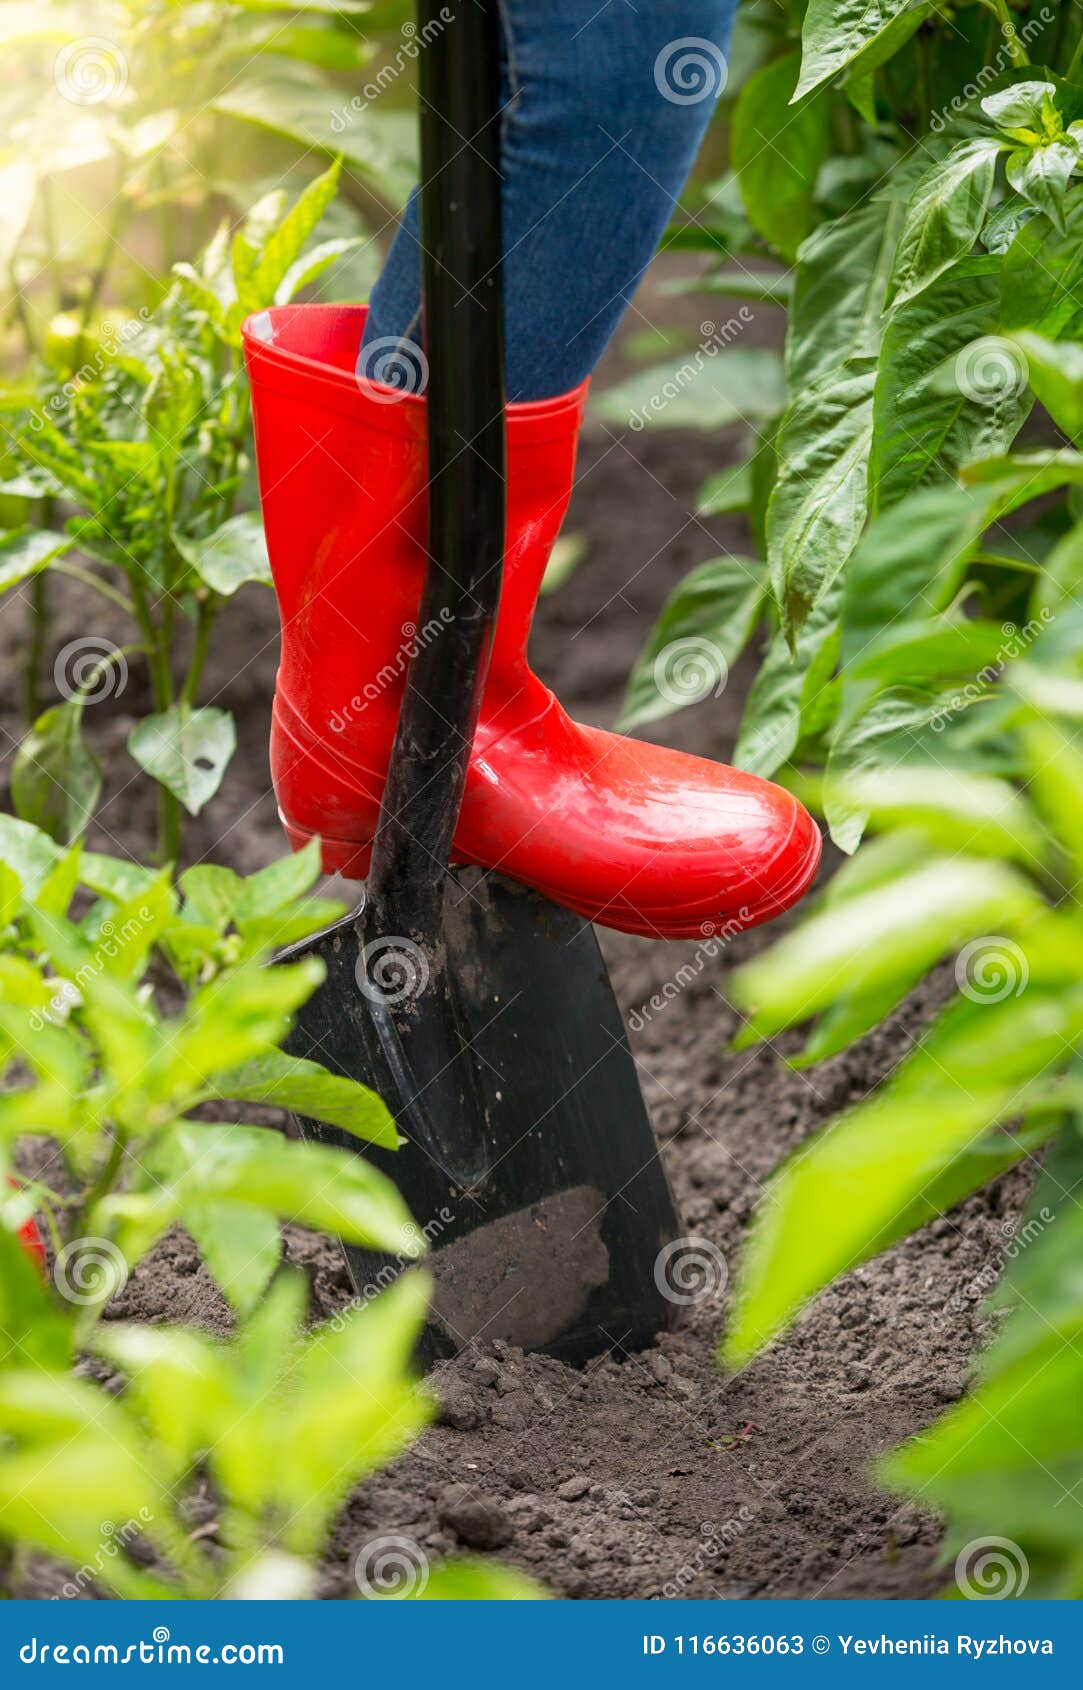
{"x": 709, "y": 388}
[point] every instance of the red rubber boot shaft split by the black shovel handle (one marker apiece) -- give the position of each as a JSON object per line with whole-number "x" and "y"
{"x": 344, "y": 488}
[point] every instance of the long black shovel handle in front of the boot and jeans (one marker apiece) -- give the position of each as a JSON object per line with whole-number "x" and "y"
{"x": 464, "y": 346}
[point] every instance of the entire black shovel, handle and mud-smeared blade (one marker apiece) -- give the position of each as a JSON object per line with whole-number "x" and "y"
{"x": 477, "y": 1010}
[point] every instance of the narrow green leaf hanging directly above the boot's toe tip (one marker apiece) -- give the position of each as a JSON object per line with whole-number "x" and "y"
{"x": 785, "y": 687}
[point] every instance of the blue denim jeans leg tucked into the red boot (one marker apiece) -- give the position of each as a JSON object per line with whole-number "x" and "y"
{"x": 606, "y": 104}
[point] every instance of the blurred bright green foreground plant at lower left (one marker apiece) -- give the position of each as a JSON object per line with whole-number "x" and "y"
{"x": 121, "y": 1064}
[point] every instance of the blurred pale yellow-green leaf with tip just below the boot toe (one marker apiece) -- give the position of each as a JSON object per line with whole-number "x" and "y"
{"x": 912, "y": 920}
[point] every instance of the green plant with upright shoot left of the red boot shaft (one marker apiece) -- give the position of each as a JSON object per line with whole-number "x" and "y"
{"x": 150, "y": 449}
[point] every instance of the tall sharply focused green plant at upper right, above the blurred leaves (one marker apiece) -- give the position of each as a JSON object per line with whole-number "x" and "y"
{"x": 922, "y": 180}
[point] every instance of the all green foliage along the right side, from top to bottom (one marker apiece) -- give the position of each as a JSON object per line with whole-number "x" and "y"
{"x": 918, "y": 584}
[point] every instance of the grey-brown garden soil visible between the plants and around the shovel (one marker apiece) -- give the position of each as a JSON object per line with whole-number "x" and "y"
{"x": 646, "y": 1476}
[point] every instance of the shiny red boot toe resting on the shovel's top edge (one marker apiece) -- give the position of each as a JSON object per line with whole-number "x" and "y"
{"x": 638, "y": 837}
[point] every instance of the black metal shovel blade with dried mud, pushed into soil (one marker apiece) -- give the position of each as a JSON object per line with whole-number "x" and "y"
{"x": 552, "y": 1243}
